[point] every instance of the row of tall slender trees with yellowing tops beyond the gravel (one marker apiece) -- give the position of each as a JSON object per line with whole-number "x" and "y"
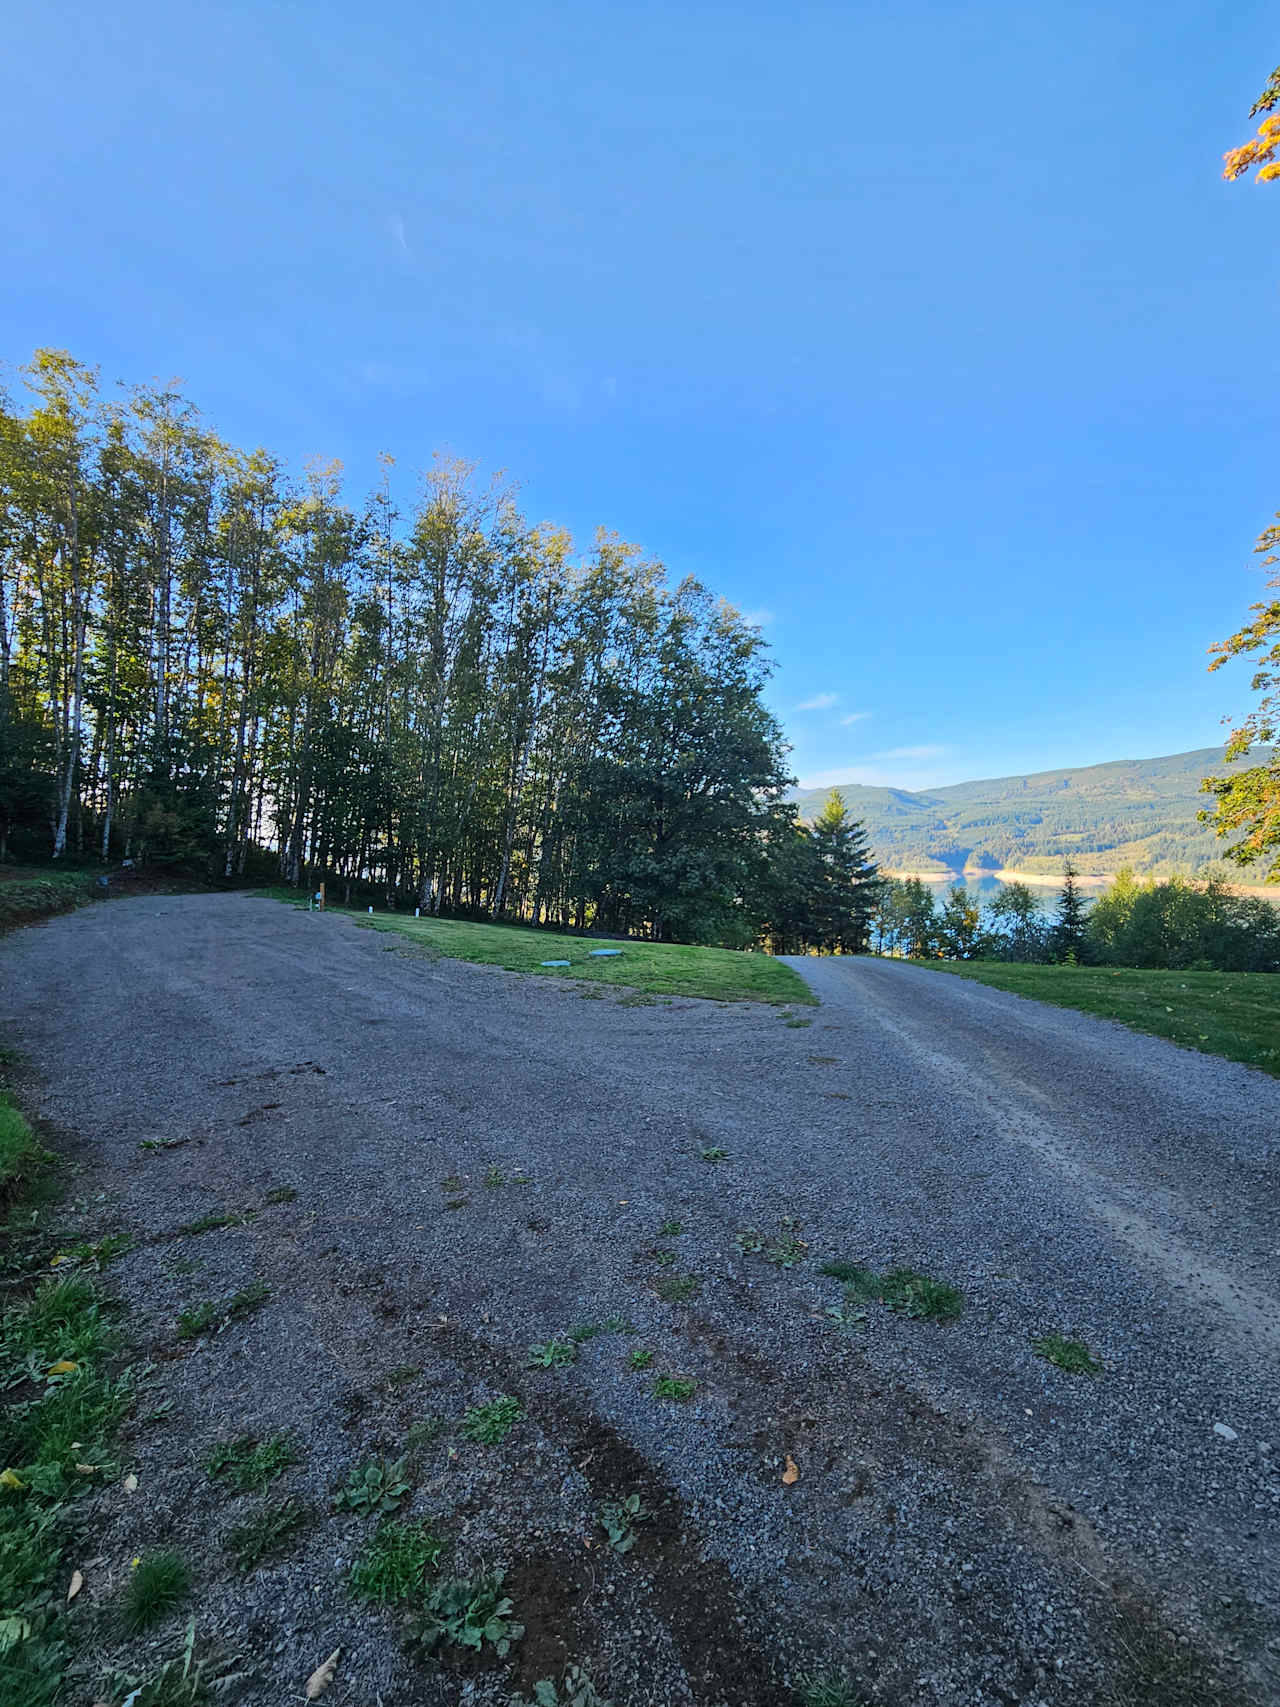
{"x": 206, "y": 660}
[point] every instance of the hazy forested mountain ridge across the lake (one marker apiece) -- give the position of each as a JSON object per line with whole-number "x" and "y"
{"x": 1134, "y": 812}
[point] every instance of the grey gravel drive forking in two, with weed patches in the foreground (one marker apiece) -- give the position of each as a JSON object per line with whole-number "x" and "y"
{"x": 970, "y": 1527}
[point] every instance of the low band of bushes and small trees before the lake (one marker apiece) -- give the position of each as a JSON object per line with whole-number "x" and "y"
{"x": 1173, "y": 924}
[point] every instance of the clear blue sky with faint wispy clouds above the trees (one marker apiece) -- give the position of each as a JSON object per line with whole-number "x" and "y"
{"x": 928, "y": 332}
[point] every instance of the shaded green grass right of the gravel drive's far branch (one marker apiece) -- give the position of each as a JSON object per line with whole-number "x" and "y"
{"x": 1219, "y": 1013}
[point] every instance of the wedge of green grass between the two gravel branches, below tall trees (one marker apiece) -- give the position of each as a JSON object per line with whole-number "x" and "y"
{"x": 661, "y": 969}
